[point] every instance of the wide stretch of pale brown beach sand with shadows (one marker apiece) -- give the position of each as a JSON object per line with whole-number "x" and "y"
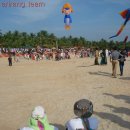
{"x": 56, "y": 86}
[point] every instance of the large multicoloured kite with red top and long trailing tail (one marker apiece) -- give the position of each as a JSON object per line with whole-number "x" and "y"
{"x": 126, "y": 15}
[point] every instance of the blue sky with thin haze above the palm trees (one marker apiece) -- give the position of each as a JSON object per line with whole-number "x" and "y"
{"x": 92, "y": 19}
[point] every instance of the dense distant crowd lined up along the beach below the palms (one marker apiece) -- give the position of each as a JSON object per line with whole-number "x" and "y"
{"x": 47, "y": 53}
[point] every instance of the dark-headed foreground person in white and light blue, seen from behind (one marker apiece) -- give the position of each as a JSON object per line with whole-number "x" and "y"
{"x": 85, "y": 121}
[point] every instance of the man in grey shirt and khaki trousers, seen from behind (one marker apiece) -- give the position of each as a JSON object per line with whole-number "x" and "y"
{"x": 114, "y": 59}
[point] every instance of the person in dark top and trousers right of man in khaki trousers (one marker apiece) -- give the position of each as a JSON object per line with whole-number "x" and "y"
{"x": 121, "y": 62}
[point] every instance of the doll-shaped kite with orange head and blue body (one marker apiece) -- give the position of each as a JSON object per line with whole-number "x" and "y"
{"x": 67, "y": 10}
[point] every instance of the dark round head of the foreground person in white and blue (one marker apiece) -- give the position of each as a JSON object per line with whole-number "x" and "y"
{"x": 83, "y": 108}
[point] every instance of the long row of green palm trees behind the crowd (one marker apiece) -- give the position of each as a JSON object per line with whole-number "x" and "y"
{"x": 18, "y": 39}
